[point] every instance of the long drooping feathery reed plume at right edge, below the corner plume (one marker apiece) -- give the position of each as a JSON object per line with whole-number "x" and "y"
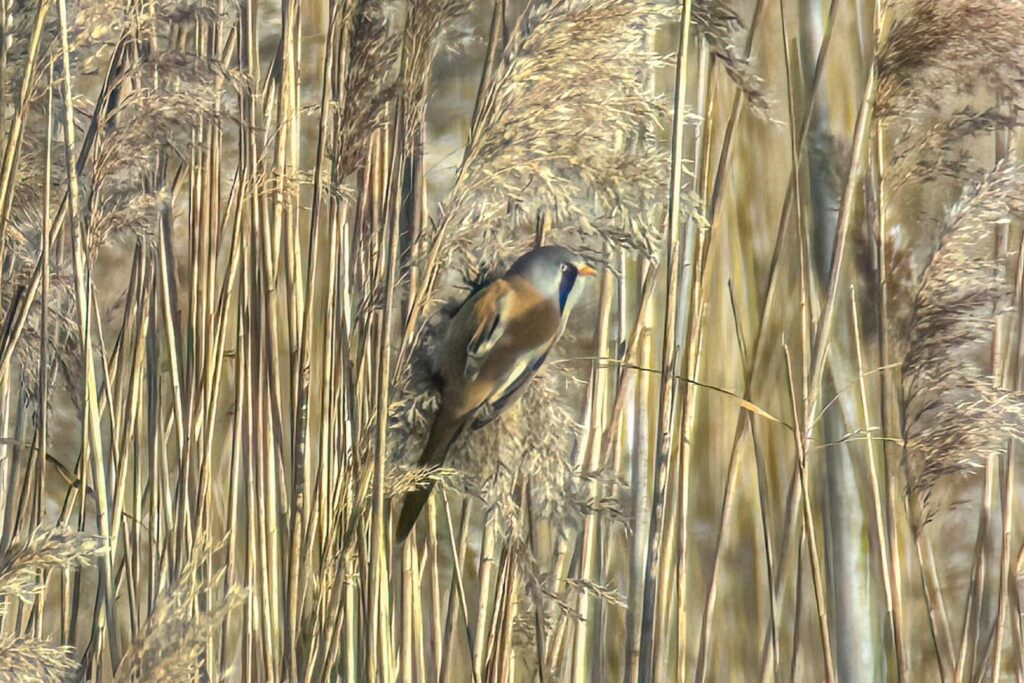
{"x": 955, "y": 417}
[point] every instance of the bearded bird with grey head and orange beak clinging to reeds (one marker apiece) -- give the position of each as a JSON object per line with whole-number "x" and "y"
{"x": 496, "y": 343}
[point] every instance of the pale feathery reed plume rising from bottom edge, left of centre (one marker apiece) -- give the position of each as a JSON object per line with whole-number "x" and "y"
{"x": 173, "y": 645}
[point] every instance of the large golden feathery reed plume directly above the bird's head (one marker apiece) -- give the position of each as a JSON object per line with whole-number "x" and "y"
{"x": 567, "y": 126}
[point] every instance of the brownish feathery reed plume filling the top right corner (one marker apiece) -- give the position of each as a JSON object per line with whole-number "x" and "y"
{"x": 938, "y": 51}
